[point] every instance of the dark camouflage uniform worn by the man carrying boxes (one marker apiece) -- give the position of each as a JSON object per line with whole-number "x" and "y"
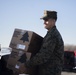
{"x": 50, "y": 56}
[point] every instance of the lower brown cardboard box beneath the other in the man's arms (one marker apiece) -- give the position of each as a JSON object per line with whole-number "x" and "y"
{"x": 16, "y": 62}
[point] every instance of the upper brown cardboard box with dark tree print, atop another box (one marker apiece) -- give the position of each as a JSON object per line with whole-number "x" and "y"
{"x": 26, "y": 40}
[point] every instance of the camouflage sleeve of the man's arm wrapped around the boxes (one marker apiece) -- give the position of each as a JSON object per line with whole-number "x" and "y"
{"x": 44, "y": 54}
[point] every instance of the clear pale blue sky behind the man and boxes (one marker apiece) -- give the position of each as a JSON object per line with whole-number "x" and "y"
{"x": 26, "y": 14}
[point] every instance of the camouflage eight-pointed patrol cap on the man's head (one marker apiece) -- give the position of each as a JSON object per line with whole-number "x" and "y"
{"x": 49, "y": 14}
